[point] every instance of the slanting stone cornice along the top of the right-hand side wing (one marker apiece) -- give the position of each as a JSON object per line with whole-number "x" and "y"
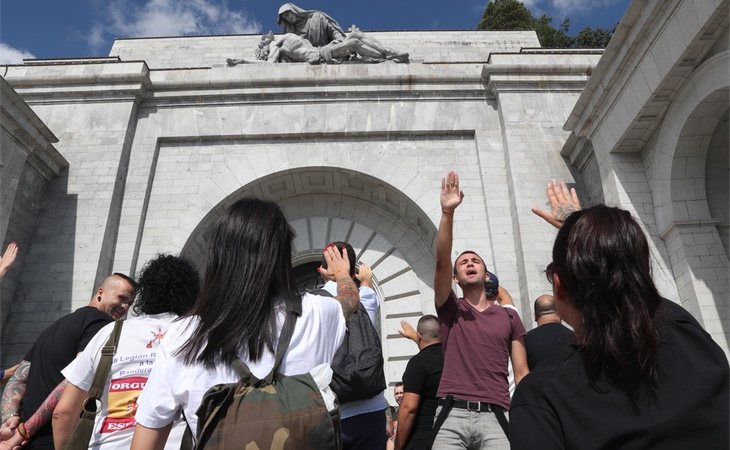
{"x": 640, "y": 74}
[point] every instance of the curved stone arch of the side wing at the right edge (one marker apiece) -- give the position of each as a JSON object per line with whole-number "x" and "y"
{"x": 698, "y": 258}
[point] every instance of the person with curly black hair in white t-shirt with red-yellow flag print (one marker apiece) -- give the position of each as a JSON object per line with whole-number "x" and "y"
{"x": 168, "y": 287}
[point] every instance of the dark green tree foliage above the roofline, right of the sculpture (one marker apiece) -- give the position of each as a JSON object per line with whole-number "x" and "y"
{"x": 512, "y": 15}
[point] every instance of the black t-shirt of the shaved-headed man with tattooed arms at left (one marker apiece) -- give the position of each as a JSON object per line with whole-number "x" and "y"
{"x": 54, "y": 349}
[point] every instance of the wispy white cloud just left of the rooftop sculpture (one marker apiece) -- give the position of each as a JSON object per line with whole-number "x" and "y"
{"x": 169, "y": 18}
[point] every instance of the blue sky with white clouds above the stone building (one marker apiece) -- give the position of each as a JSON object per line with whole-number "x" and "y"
{"x": 87, "y": 28}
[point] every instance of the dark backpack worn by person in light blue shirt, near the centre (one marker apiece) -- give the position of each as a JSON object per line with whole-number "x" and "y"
{"x": 358, "y": 364}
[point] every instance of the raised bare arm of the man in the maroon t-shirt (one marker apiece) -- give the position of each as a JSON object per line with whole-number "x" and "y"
{"x": 451, "y": 198}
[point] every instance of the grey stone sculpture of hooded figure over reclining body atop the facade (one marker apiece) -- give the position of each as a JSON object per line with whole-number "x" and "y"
{"x": 314, "y": 37}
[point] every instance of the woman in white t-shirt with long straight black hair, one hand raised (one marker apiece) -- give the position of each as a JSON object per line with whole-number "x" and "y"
{"x": 239, "y": 314}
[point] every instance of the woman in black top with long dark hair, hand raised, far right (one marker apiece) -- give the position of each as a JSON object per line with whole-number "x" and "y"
{"x": 644, "y": 374}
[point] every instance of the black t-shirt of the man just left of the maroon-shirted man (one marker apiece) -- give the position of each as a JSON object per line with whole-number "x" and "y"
{"x": 422, "y": 377}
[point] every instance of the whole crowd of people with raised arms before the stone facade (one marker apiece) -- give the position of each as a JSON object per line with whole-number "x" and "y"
{"x": 633, "y": 370}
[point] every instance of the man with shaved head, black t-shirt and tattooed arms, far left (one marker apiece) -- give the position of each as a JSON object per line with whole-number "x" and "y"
{"x": 33, "y": 391}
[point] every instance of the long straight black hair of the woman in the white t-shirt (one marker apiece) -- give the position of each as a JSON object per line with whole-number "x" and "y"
{"x": 248, "y": 269}
